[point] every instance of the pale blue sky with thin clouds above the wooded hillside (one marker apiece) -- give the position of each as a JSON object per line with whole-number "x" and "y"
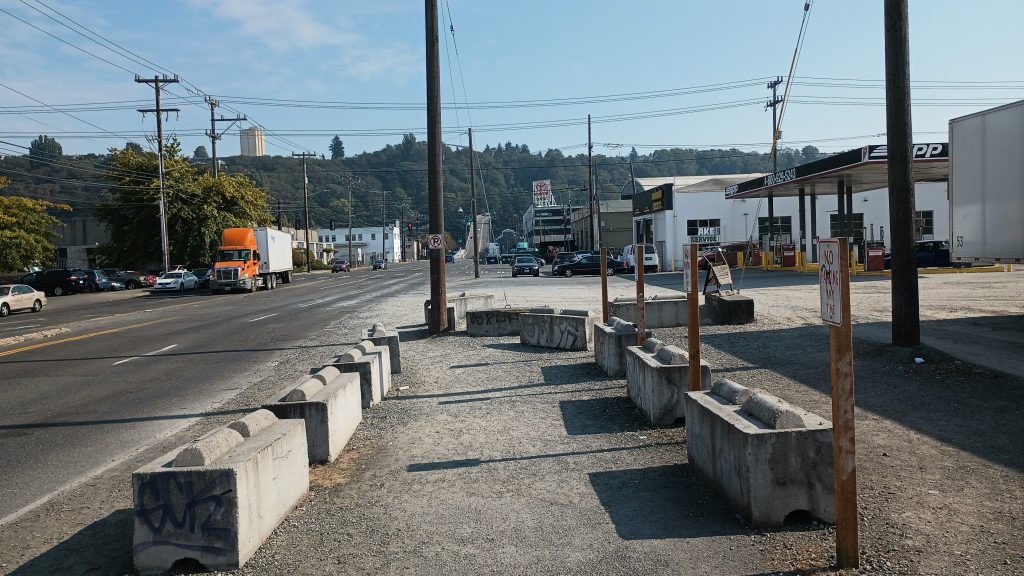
{"x": 339, "y": 61}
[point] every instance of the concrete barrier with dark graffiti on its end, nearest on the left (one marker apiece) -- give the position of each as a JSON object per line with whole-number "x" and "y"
{"x": 220, "y": 512}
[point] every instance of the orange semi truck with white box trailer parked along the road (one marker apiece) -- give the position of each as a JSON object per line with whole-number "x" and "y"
{"x": 252, "y": 258}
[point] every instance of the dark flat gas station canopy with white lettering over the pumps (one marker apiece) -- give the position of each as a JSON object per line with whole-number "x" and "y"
{"x": 861, "y": 170}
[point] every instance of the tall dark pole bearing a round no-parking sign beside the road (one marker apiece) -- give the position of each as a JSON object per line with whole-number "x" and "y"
{"x": 439, "y": 298}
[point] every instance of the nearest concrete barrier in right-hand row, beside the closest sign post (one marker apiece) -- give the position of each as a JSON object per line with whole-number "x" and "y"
{"x": 767, "y": 458}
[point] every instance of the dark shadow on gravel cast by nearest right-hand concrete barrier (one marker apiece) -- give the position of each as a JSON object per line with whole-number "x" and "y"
{"x": 663, "y": 503}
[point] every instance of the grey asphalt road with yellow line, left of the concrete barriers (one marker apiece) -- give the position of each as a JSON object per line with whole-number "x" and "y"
{"x": 130, "y": 368}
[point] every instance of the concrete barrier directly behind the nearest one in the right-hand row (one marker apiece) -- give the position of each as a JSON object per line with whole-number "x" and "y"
{"x": 658, "y": 379}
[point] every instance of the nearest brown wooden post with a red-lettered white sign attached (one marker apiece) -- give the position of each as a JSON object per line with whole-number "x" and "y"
{"x": 834, "y": 283}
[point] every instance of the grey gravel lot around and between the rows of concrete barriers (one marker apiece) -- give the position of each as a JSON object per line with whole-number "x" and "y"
{"x": 501, "y": 459}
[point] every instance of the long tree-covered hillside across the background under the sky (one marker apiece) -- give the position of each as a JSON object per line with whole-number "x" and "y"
{"x": 507, "y": 173}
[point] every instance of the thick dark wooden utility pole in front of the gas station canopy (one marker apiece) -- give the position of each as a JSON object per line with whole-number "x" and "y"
{"x": 900, "y": 140}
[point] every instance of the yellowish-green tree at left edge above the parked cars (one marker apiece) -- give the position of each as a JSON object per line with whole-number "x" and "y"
{"x": 27, "y": 231}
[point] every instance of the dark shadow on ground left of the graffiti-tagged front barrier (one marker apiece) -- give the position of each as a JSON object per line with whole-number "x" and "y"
{"x": 102, "y": 548}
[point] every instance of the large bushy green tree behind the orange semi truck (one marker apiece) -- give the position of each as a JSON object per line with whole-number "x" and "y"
{"x": 199, "y": 209}
